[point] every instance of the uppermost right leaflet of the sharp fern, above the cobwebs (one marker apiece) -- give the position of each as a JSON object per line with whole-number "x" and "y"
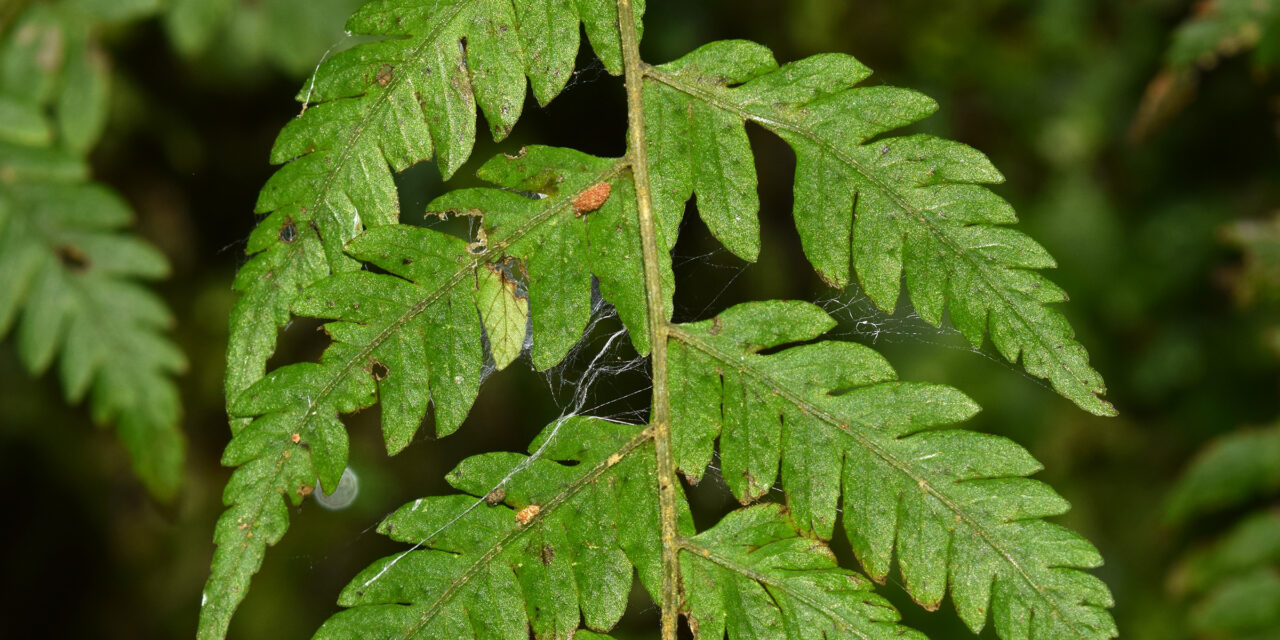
{"x": 877, "y": 207}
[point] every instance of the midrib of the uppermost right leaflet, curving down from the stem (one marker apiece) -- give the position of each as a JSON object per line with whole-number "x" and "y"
{"x": 1032, "y": 328}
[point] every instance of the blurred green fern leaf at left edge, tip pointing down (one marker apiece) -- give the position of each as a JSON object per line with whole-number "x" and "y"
{"x": 68, "y": 269}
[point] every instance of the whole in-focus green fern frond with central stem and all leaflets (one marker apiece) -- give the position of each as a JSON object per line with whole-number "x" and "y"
{"x": 534, "y": 542}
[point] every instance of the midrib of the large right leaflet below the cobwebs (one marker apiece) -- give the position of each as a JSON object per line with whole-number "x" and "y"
{"x": 839, "y": 426}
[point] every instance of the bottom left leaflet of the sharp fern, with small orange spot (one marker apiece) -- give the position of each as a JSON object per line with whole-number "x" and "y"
{"x": 540, "y": 545}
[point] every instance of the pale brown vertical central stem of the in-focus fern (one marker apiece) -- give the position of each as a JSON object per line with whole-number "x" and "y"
{"x": 660, "y": 418}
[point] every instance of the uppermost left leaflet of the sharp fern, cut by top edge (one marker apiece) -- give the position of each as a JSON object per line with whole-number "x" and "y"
{"x": 381, "y": 108}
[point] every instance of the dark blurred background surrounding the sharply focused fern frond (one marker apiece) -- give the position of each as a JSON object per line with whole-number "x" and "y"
{"x": 1140, "y": 141}
